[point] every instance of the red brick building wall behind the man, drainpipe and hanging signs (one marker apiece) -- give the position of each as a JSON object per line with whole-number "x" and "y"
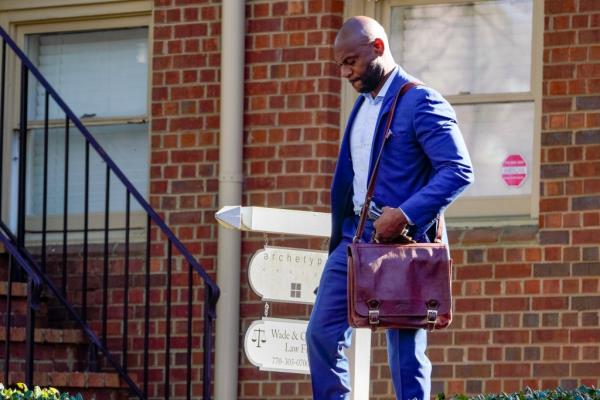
{"x": 526, "y": 297}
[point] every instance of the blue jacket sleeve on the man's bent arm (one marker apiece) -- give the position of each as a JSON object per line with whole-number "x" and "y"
{"x": 436, "y": 129}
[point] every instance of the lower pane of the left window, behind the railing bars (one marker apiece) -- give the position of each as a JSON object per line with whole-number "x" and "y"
{"x": 127, "y": 145}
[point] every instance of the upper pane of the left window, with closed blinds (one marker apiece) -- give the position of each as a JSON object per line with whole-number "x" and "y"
{"x": 98, "y": 74}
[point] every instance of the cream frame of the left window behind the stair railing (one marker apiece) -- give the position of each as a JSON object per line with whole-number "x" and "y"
{"x": 39, "y": 17}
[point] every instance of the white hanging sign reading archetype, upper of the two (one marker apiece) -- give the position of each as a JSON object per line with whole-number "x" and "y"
{"x": 285, "y": 274}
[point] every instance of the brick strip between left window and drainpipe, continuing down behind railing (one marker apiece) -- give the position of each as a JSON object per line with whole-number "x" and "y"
{"x": 184, "y": 169}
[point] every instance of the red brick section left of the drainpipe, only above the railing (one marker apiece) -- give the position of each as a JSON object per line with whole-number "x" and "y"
{"x": 185, "y": 121}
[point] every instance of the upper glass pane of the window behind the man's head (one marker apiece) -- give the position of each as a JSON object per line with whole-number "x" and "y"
{"x": 479, "y": 47}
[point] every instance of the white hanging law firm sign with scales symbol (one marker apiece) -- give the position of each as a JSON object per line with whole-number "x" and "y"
{"x": 274, "y": 344}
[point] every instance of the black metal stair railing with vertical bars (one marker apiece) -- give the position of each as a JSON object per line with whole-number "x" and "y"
{"x": 149, "y": 287}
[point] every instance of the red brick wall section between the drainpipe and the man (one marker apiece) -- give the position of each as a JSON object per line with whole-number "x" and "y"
{"x": 291, "y": 141}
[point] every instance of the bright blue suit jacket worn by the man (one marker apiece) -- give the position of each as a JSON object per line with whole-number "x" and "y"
{"x": 425, "y": 164}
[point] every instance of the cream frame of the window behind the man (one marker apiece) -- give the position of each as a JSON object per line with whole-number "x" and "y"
{"x": 480, "y": 210}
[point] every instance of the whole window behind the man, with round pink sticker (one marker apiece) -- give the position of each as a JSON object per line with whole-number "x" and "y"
{"x": 485, "y": 61}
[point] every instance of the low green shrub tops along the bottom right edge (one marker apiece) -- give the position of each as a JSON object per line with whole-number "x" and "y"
{"x": 581, "y": 393}
